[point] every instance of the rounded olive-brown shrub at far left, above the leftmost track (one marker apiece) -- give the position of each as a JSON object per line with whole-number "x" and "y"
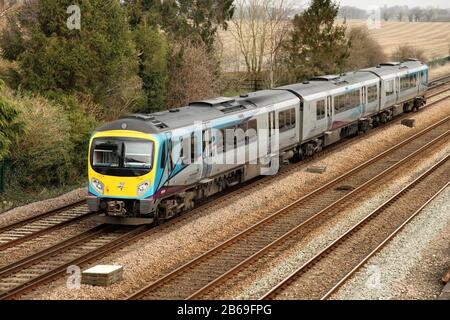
{"x": 41, "y": 157}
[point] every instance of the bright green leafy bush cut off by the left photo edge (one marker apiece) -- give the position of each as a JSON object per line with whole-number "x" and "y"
{"x": 10, "y": 125}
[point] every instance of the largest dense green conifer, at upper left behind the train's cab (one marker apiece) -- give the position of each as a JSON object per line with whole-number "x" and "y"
{"x": 94, "y": 60}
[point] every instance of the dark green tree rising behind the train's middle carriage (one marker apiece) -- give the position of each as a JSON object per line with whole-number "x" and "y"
{"x": 316, "y": 46}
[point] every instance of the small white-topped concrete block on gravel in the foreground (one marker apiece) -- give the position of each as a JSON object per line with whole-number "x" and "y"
{"x": 102, "y": 275}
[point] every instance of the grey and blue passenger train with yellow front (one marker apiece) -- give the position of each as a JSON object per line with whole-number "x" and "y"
{"x": 148, "y": 168}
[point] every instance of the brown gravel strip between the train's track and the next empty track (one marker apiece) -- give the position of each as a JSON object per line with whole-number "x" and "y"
{"x": 157, "y": 254}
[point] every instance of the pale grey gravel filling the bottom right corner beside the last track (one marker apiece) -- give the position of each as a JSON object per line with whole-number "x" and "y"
{"x": 412, "y": 264}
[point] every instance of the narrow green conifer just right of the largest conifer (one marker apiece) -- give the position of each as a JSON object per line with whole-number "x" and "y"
{"x": 153, "y": 51}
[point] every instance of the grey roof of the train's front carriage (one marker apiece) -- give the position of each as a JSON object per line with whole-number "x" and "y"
{"x": 198, "y": 111}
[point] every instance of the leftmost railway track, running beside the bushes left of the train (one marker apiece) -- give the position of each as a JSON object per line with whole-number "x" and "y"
{"x": 25, "y": 230}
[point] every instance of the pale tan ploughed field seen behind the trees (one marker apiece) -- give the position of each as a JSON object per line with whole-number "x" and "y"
{"x": 432, "y": 37}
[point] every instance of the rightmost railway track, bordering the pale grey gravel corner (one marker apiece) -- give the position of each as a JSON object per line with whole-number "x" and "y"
{"x": 342, "y": 258}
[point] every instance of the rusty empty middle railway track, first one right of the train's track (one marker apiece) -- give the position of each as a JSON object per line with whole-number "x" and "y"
{"x": 193, "y": 278}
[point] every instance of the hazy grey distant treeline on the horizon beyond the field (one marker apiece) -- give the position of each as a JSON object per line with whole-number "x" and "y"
{"x": 399, "y": 13}
